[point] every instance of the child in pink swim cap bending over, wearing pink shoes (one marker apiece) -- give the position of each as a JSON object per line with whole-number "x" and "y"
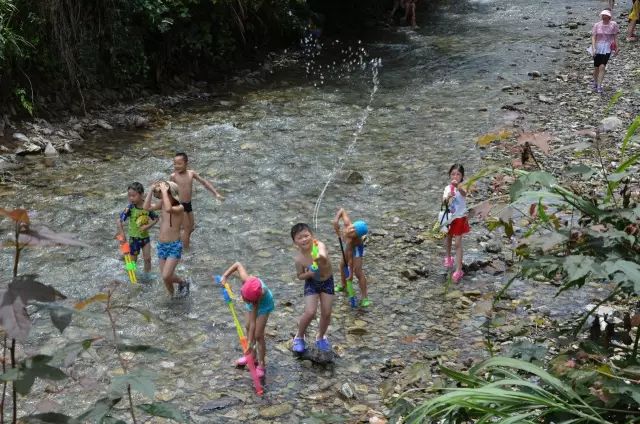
{"x": 259, "y": 303}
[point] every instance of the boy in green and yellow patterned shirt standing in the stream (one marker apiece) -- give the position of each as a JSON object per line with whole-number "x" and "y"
{"x": 140, "y": 221}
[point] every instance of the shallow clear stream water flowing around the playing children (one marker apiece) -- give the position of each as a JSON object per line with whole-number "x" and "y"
{"x": 272, "y": 153}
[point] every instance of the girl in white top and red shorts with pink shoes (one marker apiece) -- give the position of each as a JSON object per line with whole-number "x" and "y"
{"x": 455, "y": 195}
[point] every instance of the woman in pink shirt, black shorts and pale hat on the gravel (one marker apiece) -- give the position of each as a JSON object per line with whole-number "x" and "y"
{"x": 604, "y": 40}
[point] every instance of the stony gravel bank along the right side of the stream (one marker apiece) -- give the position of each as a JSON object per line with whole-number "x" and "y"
{"x": 559, "y": 106}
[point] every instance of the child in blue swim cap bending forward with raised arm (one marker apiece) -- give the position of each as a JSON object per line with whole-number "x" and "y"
{"x": 352, "y": 234}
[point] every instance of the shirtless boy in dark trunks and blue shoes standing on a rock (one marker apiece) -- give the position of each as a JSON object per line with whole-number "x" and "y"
{"x": 318, "y": 287}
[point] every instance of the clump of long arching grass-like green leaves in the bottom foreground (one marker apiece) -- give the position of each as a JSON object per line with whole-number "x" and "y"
{"x": 507, "y": 390}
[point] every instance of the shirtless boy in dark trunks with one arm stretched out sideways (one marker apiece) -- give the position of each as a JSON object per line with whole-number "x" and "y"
{"x": 184, "y": 178}
